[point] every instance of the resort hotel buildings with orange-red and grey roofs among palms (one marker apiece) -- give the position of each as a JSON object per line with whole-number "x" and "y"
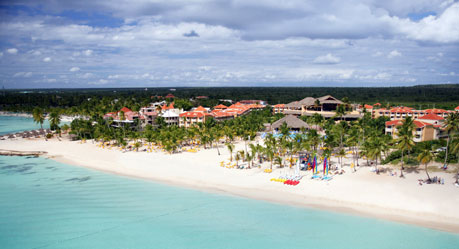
{"x": 428, "y": 123}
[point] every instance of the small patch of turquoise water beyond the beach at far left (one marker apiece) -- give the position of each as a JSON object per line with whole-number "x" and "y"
{"x": 12, "y": 124}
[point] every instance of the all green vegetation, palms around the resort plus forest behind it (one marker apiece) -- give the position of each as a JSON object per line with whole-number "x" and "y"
{"x": 362, "y": 139}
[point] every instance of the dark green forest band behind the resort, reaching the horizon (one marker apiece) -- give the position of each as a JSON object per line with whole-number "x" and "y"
{"x": 83, "y": 101}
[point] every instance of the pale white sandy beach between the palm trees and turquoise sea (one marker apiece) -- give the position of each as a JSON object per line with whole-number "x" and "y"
{"x": 362, "y": 193}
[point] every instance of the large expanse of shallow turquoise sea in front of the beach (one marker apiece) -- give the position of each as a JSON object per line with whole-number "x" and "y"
{"x": 46, "y": 204}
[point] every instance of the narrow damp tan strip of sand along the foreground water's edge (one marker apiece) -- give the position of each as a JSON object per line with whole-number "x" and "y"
{"x": 323, "y": 204}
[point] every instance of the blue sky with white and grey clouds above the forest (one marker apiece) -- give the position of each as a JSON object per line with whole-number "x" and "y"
{"x": 139, "y": 43}
